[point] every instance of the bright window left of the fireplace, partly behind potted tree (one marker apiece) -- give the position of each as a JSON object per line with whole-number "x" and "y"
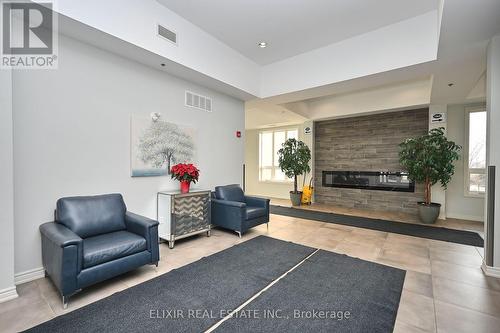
{"x": 269, "y": 144}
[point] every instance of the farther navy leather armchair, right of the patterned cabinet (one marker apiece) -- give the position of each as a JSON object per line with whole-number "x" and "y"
{"x": 232, "y": 209}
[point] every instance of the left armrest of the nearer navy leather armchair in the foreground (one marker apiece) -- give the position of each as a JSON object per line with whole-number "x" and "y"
{"x": 62, "y": 256}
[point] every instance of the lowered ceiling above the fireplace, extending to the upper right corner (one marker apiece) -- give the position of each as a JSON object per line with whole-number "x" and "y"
{"x": 466, "y": 28}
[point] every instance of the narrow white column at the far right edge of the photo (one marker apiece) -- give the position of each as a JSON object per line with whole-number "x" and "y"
{"x": 493, "y": 143}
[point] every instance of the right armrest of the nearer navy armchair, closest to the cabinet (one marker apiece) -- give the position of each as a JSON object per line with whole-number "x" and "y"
{"x": 146, "y": 228}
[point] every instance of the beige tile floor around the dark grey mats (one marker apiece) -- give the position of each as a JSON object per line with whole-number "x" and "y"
{"x": 444, "y": 290}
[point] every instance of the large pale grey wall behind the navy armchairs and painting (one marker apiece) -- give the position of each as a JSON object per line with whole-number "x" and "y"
{"x": 72, "y": 136}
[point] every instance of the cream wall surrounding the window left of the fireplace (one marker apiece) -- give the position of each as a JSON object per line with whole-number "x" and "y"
{"x": 271, "y": 189}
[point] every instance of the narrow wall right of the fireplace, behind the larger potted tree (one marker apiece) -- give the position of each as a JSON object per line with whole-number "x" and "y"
{"x": 457, "y": 204}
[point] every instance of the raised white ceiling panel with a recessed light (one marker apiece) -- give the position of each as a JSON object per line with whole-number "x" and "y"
{"x": 292, "y": 27}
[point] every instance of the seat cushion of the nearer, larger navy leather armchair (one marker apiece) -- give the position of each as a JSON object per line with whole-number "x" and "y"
{"x": 107, "y": 247}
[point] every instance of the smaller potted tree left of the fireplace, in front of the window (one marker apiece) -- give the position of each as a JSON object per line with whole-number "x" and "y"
{"x": 293, "y": 159}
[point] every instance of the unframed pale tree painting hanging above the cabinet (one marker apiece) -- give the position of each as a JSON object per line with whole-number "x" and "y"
{"x": 157, "y": 145}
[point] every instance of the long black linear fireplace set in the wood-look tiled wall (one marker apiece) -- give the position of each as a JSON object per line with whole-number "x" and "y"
{"x": 369, "y": 180}
